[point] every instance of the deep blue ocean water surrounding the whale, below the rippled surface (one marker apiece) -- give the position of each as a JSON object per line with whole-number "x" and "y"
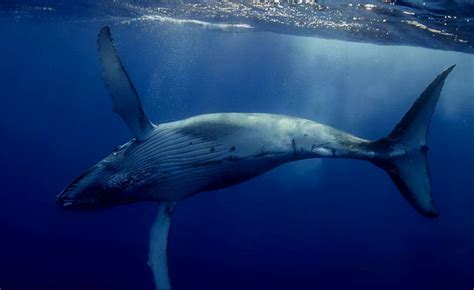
{"x": 314, "y": 224}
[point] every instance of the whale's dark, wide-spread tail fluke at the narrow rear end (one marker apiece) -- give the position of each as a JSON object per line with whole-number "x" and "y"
{"x": 409, "y": 170}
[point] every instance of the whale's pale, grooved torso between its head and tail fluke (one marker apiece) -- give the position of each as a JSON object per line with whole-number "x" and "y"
{"x": 214, "y": 151}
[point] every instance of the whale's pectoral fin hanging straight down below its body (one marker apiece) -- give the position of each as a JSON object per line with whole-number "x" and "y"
{"x": 158, "y": 248}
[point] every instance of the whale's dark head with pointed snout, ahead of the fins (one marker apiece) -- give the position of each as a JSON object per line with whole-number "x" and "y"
{"x": 105, "y": 184}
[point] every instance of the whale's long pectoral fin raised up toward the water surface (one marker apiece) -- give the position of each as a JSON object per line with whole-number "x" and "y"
{"x": 125, "y": 98}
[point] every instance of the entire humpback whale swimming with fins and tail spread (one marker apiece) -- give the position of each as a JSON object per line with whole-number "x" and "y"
{"x": 166, "y": 163}
